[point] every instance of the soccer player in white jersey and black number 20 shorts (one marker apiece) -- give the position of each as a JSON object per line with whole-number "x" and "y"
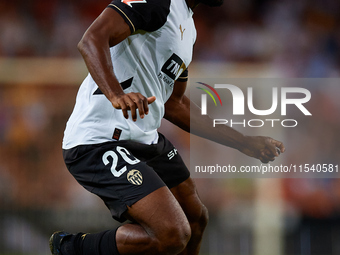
{"x": 137, "y": 53}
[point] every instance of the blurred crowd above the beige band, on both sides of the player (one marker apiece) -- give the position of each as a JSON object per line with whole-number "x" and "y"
{"x": 301, "y": 37}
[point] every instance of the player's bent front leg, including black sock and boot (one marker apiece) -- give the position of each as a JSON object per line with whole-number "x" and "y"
{"x": 160, "y": 227}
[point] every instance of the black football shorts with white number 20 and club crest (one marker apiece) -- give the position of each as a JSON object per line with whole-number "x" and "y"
{"x": 123, "y": 172}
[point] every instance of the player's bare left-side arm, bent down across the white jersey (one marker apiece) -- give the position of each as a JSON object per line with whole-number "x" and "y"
{"x": 106, "y": 31}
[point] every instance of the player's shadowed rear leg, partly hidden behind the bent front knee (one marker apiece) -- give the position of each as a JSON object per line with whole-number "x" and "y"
{"x": 196, "y": 213}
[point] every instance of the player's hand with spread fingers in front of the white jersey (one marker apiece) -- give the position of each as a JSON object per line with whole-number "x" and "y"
{"x": 131, "y": 102}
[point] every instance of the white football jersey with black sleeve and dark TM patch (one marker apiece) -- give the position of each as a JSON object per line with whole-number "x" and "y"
{"x": 149, "y": 61}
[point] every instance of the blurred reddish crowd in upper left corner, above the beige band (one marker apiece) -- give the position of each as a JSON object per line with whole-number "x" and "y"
{"x": 45, "y": 28}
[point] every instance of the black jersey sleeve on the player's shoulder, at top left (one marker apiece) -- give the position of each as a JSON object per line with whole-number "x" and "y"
{"x": 148, "y": 15}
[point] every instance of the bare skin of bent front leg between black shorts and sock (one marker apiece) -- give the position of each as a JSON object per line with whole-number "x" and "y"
{"x": 162, "y": 227}
